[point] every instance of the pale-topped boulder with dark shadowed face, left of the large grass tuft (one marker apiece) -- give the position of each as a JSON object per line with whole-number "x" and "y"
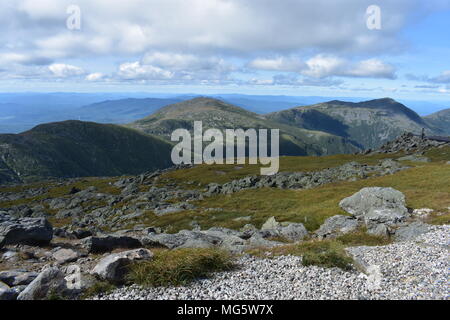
{"x": 113, "y": 268}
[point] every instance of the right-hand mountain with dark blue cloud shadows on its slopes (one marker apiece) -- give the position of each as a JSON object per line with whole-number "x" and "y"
{"x": 369, "y": 123}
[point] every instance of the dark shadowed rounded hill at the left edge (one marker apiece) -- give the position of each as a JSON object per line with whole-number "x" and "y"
{"x": 76, "y": 148}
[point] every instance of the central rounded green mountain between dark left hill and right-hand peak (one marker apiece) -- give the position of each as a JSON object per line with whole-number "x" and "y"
{"x": 218, "y": 114}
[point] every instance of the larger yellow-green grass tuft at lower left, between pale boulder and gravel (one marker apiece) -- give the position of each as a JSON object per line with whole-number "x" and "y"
{"x": 179, "y": 267}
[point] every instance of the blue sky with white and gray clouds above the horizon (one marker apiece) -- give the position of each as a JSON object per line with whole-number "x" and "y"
{"x": 372, "y": 48}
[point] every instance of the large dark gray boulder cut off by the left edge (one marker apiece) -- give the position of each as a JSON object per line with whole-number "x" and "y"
{"x": 31, "y": 231}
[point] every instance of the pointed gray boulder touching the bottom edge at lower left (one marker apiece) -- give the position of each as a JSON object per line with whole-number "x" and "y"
{"x": 49, "y": 282}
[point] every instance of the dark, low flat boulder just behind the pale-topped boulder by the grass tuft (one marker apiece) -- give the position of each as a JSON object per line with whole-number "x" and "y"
{"x": 109, "y": 243}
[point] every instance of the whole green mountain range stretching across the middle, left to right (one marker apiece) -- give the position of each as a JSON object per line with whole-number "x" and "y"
{"x": 79, "y": 148}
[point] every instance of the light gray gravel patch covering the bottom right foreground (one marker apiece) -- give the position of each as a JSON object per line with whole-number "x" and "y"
{"x": 416, "y": 269}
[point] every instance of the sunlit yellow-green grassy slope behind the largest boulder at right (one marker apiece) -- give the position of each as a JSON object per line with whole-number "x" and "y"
{"x": 424, "y": 186}
